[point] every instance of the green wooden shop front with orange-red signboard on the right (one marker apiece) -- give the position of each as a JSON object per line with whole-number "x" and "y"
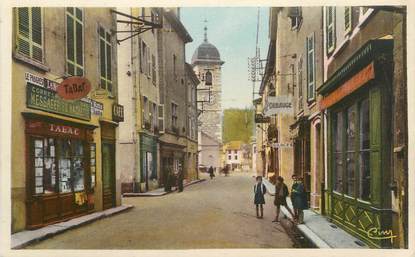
{"x": 356, "y": 99}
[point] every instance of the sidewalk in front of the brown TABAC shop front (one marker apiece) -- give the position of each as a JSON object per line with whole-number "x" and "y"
{"x": 26, "y": 237}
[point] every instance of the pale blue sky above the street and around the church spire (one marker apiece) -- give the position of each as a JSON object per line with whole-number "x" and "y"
{"x": 233, "y": 31}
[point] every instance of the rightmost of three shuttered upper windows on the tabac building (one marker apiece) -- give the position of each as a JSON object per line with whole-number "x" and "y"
{"x": 105, "y": 49}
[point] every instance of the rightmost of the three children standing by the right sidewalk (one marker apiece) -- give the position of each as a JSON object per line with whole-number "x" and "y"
{"x": 299, "y": 199}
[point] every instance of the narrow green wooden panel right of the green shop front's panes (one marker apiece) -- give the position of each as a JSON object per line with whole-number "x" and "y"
{"x": 375, "y": 145}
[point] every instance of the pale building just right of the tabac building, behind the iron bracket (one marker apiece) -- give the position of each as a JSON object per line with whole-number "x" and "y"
{"x": 138, "y": 61}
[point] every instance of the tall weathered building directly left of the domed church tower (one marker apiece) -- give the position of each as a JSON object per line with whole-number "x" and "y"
{"x": 173, "y": 94}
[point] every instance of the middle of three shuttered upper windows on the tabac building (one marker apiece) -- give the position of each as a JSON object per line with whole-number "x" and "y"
{"x": 74, "y": 41}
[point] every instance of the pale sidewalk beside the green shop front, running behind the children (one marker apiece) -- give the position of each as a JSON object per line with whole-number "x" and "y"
{"x": 321, "y": 232}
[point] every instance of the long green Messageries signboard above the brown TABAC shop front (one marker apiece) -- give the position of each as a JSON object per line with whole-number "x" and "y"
{"x": 47, "y": 100}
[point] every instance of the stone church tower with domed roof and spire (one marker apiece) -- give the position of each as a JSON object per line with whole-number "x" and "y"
{"x": 207, "y": 66}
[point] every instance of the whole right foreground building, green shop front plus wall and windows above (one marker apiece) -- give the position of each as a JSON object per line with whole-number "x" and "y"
{"x": 366, "y": 141}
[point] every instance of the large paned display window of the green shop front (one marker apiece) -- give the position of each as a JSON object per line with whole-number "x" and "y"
{"x": 351, "y": 156}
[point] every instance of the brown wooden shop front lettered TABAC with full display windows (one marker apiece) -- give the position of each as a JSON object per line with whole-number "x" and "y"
{"x": 60, "y": 162}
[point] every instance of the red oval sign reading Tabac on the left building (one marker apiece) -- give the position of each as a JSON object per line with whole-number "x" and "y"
{"x": 74, "y": 88}
